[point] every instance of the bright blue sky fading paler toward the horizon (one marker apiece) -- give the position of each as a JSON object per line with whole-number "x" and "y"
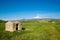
{"x": 29, "y": 9}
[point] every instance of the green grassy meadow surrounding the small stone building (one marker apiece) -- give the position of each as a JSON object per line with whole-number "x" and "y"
{"x": 34, "y": 30}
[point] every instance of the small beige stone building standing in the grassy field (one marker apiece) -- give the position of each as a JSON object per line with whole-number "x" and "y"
{"x": 13, "y": 26}
